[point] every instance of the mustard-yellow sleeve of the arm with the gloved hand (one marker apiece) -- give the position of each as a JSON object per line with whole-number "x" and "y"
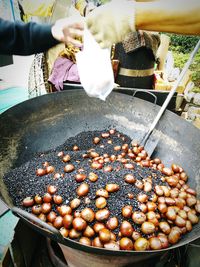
{"x": 176, "y": 16}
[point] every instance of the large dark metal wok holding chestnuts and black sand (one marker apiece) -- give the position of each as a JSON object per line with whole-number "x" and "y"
{"x": 47, "y": 121}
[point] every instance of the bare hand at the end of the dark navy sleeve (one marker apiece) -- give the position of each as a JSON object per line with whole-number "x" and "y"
{"x": 68, "y": 30}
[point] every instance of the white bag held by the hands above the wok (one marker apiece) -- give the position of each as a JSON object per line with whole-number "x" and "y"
{"x": 94, "y": 68}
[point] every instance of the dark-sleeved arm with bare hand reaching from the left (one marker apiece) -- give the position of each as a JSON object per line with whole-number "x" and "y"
{"x": 29, "y": 38}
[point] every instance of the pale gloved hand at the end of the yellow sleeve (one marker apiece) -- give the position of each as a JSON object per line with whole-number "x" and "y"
{"x": 111, "y": 22}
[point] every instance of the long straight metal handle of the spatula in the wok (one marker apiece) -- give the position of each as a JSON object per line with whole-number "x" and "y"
{"x": 170, "y": 95}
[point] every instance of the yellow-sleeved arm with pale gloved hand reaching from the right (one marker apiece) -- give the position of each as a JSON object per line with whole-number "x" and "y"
{"x": 111, "y": 22}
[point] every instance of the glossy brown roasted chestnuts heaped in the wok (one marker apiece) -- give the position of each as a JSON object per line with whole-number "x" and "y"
{"x": 162, "y": 219}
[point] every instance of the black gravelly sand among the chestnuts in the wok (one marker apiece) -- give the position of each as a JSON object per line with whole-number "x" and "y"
{"x": 23, "y": 181}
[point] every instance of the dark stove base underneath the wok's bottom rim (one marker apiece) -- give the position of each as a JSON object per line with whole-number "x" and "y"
{"x": 30, "y": 249}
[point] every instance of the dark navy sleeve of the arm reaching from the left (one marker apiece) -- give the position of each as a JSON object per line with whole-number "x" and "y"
{"x": 18, "y": 38}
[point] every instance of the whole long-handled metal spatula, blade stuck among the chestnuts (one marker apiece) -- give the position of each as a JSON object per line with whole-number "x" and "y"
{"x": 147, "y": 140}
